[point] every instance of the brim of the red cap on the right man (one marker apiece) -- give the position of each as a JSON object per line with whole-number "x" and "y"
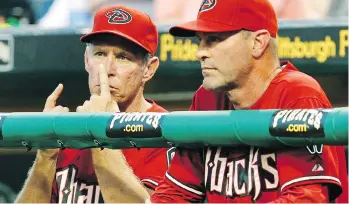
{"x": 190, "y": 28}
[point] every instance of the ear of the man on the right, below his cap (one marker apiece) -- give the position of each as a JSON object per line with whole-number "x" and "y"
{"x": 260, "y": 43}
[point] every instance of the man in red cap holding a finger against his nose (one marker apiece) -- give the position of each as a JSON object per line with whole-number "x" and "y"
{"x": 120, "y": 59}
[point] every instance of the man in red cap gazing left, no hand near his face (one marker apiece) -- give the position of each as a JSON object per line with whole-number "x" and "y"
{"x": 242, "y": 71}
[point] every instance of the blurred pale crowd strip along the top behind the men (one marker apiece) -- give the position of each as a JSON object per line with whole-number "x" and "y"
{"x": 78, "y": 13}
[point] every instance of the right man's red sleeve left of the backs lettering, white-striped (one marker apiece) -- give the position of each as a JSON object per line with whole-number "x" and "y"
{"x": 183, "y": 181}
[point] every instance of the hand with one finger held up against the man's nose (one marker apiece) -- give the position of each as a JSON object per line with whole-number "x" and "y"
{"x": 100, "y": 102}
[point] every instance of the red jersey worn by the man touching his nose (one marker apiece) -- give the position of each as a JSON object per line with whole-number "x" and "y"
{"x": 76, "y": 181}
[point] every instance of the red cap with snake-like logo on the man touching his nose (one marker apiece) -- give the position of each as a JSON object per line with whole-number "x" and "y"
{"x": 128, "y": 23}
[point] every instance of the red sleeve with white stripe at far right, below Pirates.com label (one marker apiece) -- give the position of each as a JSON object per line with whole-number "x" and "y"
{"x": 314, "y": 163}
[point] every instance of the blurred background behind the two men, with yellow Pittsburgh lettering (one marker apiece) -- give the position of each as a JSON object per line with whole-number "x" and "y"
{"x": 40, "y": 47}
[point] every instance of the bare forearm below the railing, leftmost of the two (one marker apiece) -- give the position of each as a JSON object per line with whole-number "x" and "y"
{"x": 38, "y": 186}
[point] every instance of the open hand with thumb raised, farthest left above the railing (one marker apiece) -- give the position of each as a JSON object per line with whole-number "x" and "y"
{"x": 50, "y": 106}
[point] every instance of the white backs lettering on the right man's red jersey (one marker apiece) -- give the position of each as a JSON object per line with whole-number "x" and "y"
{"x": 247, "y": 175}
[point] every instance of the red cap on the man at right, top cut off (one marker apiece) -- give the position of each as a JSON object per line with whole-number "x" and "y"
{"x": 230, "y": 15}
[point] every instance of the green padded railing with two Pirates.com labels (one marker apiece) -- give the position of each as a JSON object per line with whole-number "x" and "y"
{"x": 262, "y": 128}
